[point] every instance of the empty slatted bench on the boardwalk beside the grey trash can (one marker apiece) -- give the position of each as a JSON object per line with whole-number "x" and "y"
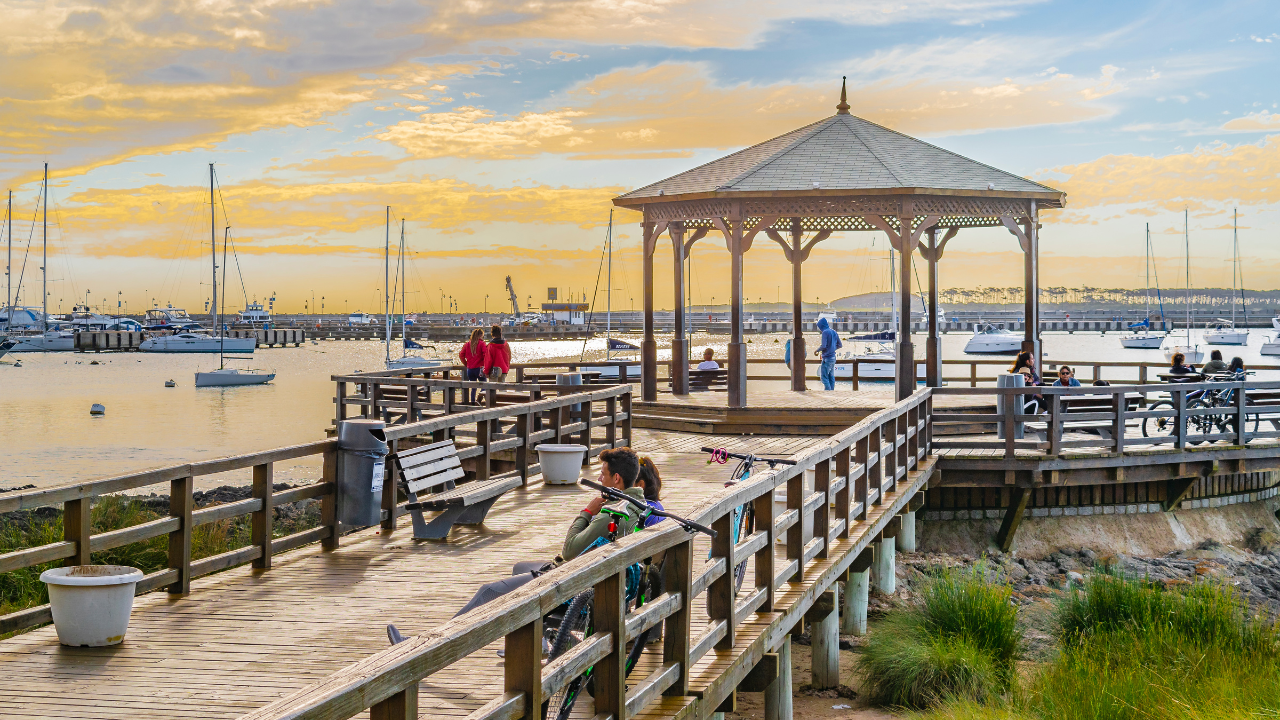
{"x": 429, "y": 477}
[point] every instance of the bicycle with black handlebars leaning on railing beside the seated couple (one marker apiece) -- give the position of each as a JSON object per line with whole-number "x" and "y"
{"x": 572, "y": 625}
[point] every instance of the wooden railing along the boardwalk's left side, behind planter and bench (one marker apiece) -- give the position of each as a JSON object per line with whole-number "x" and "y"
{"x": 492, "y": 432}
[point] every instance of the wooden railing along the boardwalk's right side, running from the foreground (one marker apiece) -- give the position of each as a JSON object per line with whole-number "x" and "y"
{"x": 854, "y": 472}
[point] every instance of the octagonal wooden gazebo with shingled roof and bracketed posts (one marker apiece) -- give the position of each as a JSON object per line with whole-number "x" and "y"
{"x": 842, "y": 174}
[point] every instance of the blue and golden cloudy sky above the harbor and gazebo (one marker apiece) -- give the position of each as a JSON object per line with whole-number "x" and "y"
{"x": 499, "y": 131}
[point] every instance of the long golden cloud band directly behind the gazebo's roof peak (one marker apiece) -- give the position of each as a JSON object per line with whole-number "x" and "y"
{"x": 675, "y": 107}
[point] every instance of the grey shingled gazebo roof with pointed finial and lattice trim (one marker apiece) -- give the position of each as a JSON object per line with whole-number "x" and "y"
{"x": 845, "y": 163}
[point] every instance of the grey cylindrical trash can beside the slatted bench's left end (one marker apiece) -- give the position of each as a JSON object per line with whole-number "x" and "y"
{"x": 362, "y": 470}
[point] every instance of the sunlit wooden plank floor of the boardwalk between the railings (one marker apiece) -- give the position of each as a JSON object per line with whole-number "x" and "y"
{"x": 245, "y": 639}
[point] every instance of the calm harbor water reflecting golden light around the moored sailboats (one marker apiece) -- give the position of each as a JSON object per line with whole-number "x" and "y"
{"x": 51, "y": 439}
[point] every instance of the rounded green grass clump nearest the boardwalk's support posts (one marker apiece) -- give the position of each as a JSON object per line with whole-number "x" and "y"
{"x": 959, "y": 644}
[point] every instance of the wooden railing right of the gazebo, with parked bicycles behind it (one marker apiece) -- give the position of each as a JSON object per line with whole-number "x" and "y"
{"x": 1174, "y": 414}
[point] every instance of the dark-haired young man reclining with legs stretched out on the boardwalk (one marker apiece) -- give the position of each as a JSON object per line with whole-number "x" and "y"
{"x": 620, "y": 468}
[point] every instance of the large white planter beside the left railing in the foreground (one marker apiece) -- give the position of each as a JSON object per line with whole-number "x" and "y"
{"x": 92, "y": 604}
